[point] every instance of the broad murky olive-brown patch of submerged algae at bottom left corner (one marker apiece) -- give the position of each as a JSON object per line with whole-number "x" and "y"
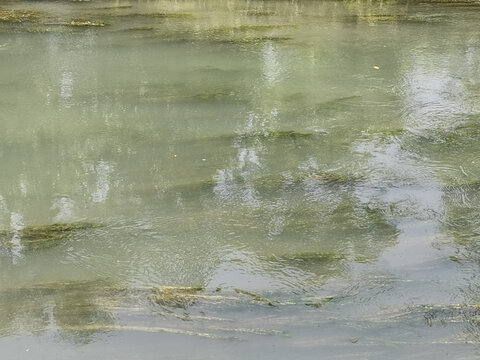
{"x": 67, "y": 303}
